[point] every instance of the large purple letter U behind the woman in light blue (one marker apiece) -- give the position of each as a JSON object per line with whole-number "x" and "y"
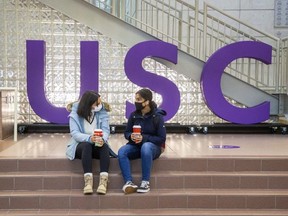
{"x": 36, "y": 78}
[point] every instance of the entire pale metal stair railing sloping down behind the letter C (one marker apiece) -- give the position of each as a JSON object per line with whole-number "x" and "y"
{"x": 186, "y": 18}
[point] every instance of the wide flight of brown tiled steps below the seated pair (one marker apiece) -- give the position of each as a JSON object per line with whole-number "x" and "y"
{"x": 179, "y": 186}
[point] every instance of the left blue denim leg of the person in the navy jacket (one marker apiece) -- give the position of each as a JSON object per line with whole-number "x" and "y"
{"x": 125, "y": 154}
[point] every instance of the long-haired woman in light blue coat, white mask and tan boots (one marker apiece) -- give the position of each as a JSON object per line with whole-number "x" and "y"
{"x": 87, "y": 115}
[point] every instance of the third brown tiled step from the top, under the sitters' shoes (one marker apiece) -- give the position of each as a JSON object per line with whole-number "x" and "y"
{"x": 155, "y": 199}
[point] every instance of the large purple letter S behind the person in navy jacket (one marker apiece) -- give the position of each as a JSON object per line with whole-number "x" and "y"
{"x": 136, "y": 74}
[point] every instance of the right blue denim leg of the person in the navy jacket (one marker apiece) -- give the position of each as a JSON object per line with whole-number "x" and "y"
{"x": 149, "y": 152}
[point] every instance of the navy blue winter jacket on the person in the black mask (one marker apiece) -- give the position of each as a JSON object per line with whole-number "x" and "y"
{"x": 152, "y": 126}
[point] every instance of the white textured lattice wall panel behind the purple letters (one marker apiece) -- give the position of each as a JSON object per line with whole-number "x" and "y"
{"x": 23, "y": 20}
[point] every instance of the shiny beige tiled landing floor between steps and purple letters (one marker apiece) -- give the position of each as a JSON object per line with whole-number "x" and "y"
{"x": 177, "y": 145}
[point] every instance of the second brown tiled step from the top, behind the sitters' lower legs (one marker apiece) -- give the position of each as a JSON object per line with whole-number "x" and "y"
{"x": 44, "y": 180}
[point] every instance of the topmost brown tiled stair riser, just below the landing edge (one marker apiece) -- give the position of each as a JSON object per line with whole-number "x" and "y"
{"x": 162, "y": 164}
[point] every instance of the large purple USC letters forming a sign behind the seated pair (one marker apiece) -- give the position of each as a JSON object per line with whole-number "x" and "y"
{"x": 89, "y": 78}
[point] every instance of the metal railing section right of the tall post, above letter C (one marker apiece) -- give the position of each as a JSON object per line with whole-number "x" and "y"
{"x": 273, "y": 87}
